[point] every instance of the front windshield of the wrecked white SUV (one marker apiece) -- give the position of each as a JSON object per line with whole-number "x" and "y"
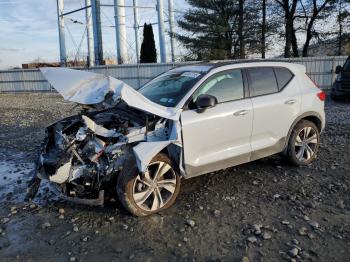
{"x": 168, "y": 89}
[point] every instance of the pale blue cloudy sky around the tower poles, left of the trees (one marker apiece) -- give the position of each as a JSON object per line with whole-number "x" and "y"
{"x": 29, "y": 30}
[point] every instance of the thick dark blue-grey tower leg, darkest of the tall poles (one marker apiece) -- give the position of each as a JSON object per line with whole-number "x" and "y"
{"x": 96, "y": 22}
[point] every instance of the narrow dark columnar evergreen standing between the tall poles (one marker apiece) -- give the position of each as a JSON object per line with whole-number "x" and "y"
{"x": 148, "y": 47}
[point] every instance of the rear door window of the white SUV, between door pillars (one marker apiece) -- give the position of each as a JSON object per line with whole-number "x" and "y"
{"x": 263, "y": 81}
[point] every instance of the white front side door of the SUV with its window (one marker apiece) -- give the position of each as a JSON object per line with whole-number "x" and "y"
{"x": 219, "y": 137}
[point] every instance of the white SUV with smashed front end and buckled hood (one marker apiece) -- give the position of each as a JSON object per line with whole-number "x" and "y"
{"x": 186, "y": 122}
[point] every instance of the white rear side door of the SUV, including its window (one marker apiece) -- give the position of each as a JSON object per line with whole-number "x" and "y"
{"x": 276, "y": 100}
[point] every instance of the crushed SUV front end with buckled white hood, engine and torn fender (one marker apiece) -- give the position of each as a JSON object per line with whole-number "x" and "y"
{"x": 83, "y": 154}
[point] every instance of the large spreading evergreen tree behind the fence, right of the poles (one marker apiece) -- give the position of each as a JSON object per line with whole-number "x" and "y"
{"x": 208, "y": 32}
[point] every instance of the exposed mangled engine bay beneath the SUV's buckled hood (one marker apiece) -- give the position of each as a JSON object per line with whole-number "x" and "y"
{"x": 83, "y": 154}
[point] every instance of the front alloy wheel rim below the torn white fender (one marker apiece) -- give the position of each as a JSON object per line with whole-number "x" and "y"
{"x": 153, "y": 189}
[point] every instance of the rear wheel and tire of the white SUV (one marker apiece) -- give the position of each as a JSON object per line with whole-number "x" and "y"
{"x": 303, "y": 143}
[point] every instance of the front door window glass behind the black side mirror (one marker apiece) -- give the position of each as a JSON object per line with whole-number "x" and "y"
{"x": 225, "y": 86}
